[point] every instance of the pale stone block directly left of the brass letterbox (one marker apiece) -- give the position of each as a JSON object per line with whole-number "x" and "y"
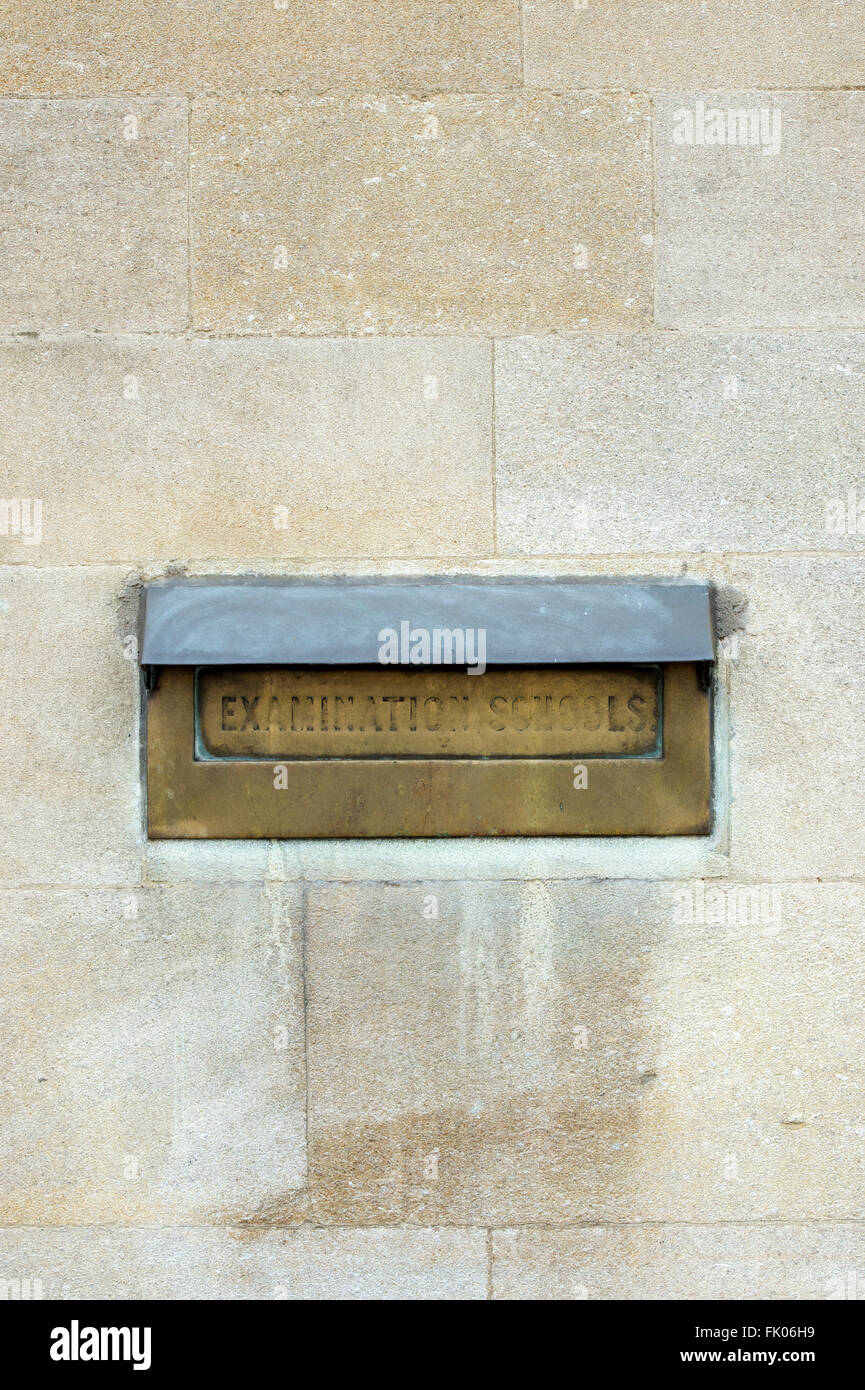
{"x": 70, "y": 801}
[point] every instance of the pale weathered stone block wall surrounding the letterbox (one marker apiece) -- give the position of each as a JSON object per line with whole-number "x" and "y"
{"x": 309, "y": 287}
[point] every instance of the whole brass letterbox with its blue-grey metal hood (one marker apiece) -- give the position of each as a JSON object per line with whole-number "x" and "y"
{"x": 300, "y": 710}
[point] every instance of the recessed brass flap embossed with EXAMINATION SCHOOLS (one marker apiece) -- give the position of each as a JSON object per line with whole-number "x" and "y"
{"x": 394, "y": 712}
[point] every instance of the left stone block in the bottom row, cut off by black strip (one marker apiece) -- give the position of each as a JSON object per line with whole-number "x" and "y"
{"x": 251, "y": 1263}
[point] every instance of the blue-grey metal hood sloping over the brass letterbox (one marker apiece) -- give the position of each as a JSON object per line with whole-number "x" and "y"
{"x": 252, "y": 622}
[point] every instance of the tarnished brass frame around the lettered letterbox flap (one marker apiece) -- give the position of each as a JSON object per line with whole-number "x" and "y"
{"x": 193, "y": 794}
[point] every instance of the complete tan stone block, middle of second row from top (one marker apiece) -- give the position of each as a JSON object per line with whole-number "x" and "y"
{"x": 467, "y": 213}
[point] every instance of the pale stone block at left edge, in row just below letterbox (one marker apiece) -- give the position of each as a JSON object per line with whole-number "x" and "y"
{"x": 159, "y": 1068}
